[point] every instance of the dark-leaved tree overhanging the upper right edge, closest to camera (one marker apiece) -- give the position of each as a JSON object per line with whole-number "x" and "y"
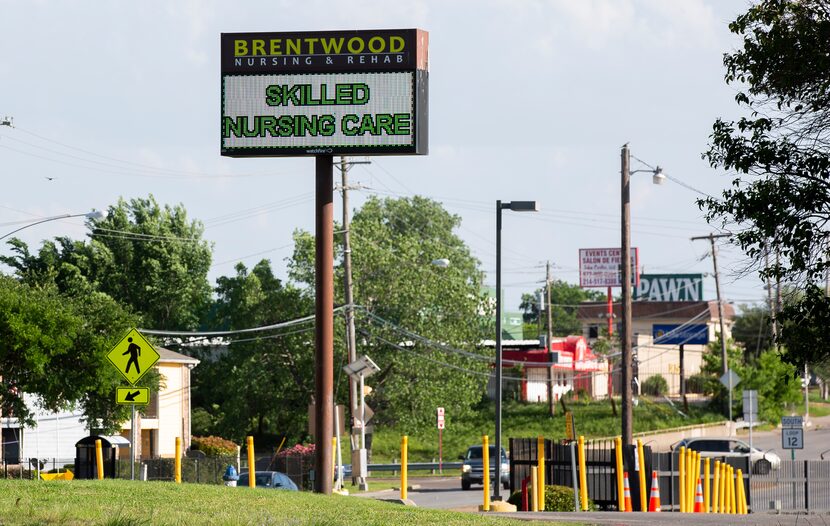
{"x": 781, "y": 154}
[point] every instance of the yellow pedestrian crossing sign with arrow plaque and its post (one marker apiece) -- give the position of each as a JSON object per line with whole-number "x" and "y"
{"x": 133, "y": 356}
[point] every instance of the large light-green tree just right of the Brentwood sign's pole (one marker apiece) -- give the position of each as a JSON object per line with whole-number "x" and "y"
{"x": 415, "y": 316}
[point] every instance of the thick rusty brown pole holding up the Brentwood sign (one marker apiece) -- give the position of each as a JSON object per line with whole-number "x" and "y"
{"x": 324, "y": 322}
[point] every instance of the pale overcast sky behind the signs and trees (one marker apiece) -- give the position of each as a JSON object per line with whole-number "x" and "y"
{"x": 528, "y": 100}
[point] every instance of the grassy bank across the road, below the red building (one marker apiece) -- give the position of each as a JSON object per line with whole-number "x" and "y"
{"x": 593, "y": 420}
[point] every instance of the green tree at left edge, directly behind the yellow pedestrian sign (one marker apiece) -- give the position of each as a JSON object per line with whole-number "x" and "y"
{"x": 55, "y": 346}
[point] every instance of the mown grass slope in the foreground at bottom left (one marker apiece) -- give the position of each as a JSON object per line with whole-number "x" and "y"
{"x": 122, "y": 503}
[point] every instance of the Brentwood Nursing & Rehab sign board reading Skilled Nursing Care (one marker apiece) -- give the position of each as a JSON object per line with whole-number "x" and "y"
{"x": 325, "y": 92}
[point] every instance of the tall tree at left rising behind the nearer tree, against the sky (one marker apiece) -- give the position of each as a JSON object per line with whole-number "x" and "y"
{"x": 145, "y": 256}
